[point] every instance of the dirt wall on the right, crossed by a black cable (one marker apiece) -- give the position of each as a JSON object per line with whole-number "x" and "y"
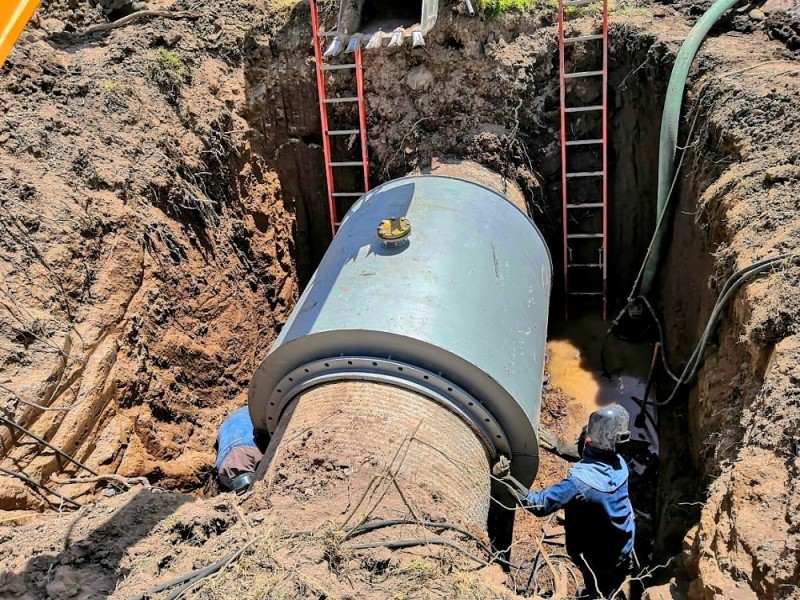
{"x": 738, "y": 203}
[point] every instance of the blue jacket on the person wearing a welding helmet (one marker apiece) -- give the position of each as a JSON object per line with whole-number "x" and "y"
{"x": 598, "y": 514}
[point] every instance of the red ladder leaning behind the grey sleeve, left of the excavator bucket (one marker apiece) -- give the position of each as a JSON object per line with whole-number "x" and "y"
{"x": 325, "y": 102}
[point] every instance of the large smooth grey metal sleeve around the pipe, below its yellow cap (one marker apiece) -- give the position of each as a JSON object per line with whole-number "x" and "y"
{"x": 457, "y": 312}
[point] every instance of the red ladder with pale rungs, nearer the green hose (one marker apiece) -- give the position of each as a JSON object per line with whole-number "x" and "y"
{"x": 580, "y": 245}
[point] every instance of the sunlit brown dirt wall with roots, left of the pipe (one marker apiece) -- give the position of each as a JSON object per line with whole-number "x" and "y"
{"x": 147, "y": 253}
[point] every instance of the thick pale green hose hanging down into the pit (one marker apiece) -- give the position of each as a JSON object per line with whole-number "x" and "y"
{"x": 670, "y": 122}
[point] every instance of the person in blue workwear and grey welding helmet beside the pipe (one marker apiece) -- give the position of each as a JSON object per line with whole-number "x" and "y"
{"x": 598, "y": 517}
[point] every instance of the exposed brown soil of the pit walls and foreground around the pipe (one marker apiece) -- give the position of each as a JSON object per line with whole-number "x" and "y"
{"x": 161, "y": 203}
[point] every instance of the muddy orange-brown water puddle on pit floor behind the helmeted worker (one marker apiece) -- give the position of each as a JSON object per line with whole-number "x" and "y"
{"x": 575, "y": 368}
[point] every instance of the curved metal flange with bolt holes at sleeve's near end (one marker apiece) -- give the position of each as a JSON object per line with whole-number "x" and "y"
{"x": 386, "y": 370}
